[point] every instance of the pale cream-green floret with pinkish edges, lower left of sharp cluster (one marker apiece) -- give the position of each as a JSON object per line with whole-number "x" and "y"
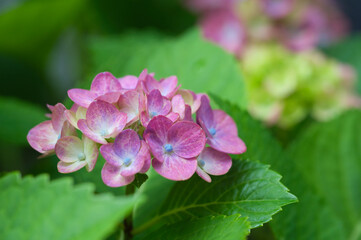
{"x": 75, "y": 154}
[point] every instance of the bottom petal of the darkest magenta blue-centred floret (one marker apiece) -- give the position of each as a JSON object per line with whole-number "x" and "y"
{"x": 175, "y": 168}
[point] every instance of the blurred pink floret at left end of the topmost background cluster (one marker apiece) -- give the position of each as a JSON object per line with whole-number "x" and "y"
{"x": 225, "y": 29}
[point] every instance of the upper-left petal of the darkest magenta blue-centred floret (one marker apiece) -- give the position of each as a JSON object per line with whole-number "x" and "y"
{"x": 156, "y": 135}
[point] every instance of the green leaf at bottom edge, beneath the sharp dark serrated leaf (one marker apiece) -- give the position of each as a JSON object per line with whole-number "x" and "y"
{"x": 231, "y": 227}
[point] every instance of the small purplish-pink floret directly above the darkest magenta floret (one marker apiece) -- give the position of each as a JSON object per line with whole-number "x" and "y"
{"x": 157, "y": 105}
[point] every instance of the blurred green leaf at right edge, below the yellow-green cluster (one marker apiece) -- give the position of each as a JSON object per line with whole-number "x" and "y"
{"x": 329, "y": 157}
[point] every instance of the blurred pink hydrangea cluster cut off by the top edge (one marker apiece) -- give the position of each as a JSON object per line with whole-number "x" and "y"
{"x": 297, "y": 24}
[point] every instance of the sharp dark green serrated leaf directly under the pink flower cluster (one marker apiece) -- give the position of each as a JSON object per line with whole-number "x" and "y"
{"x": 249, "y": 189}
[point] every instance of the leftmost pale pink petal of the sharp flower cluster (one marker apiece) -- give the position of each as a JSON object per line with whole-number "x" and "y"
{"x": 42, "y": 137}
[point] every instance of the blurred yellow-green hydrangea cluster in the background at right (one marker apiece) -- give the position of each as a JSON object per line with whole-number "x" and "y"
{"x": 284, "y": 88}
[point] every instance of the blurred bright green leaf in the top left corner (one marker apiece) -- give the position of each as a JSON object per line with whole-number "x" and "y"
{"x": 34, "y": 25}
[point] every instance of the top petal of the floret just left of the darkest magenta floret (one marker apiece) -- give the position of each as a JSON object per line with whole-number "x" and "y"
{"x": 127, "y": 144}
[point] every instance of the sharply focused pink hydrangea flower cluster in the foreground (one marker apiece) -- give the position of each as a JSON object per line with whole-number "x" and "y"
{"x": 136, "y": 122}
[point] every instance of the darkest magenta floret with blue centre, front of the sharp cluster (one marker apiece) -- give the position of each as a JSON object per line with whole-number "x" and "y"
{"x": 174, "y": 146}
